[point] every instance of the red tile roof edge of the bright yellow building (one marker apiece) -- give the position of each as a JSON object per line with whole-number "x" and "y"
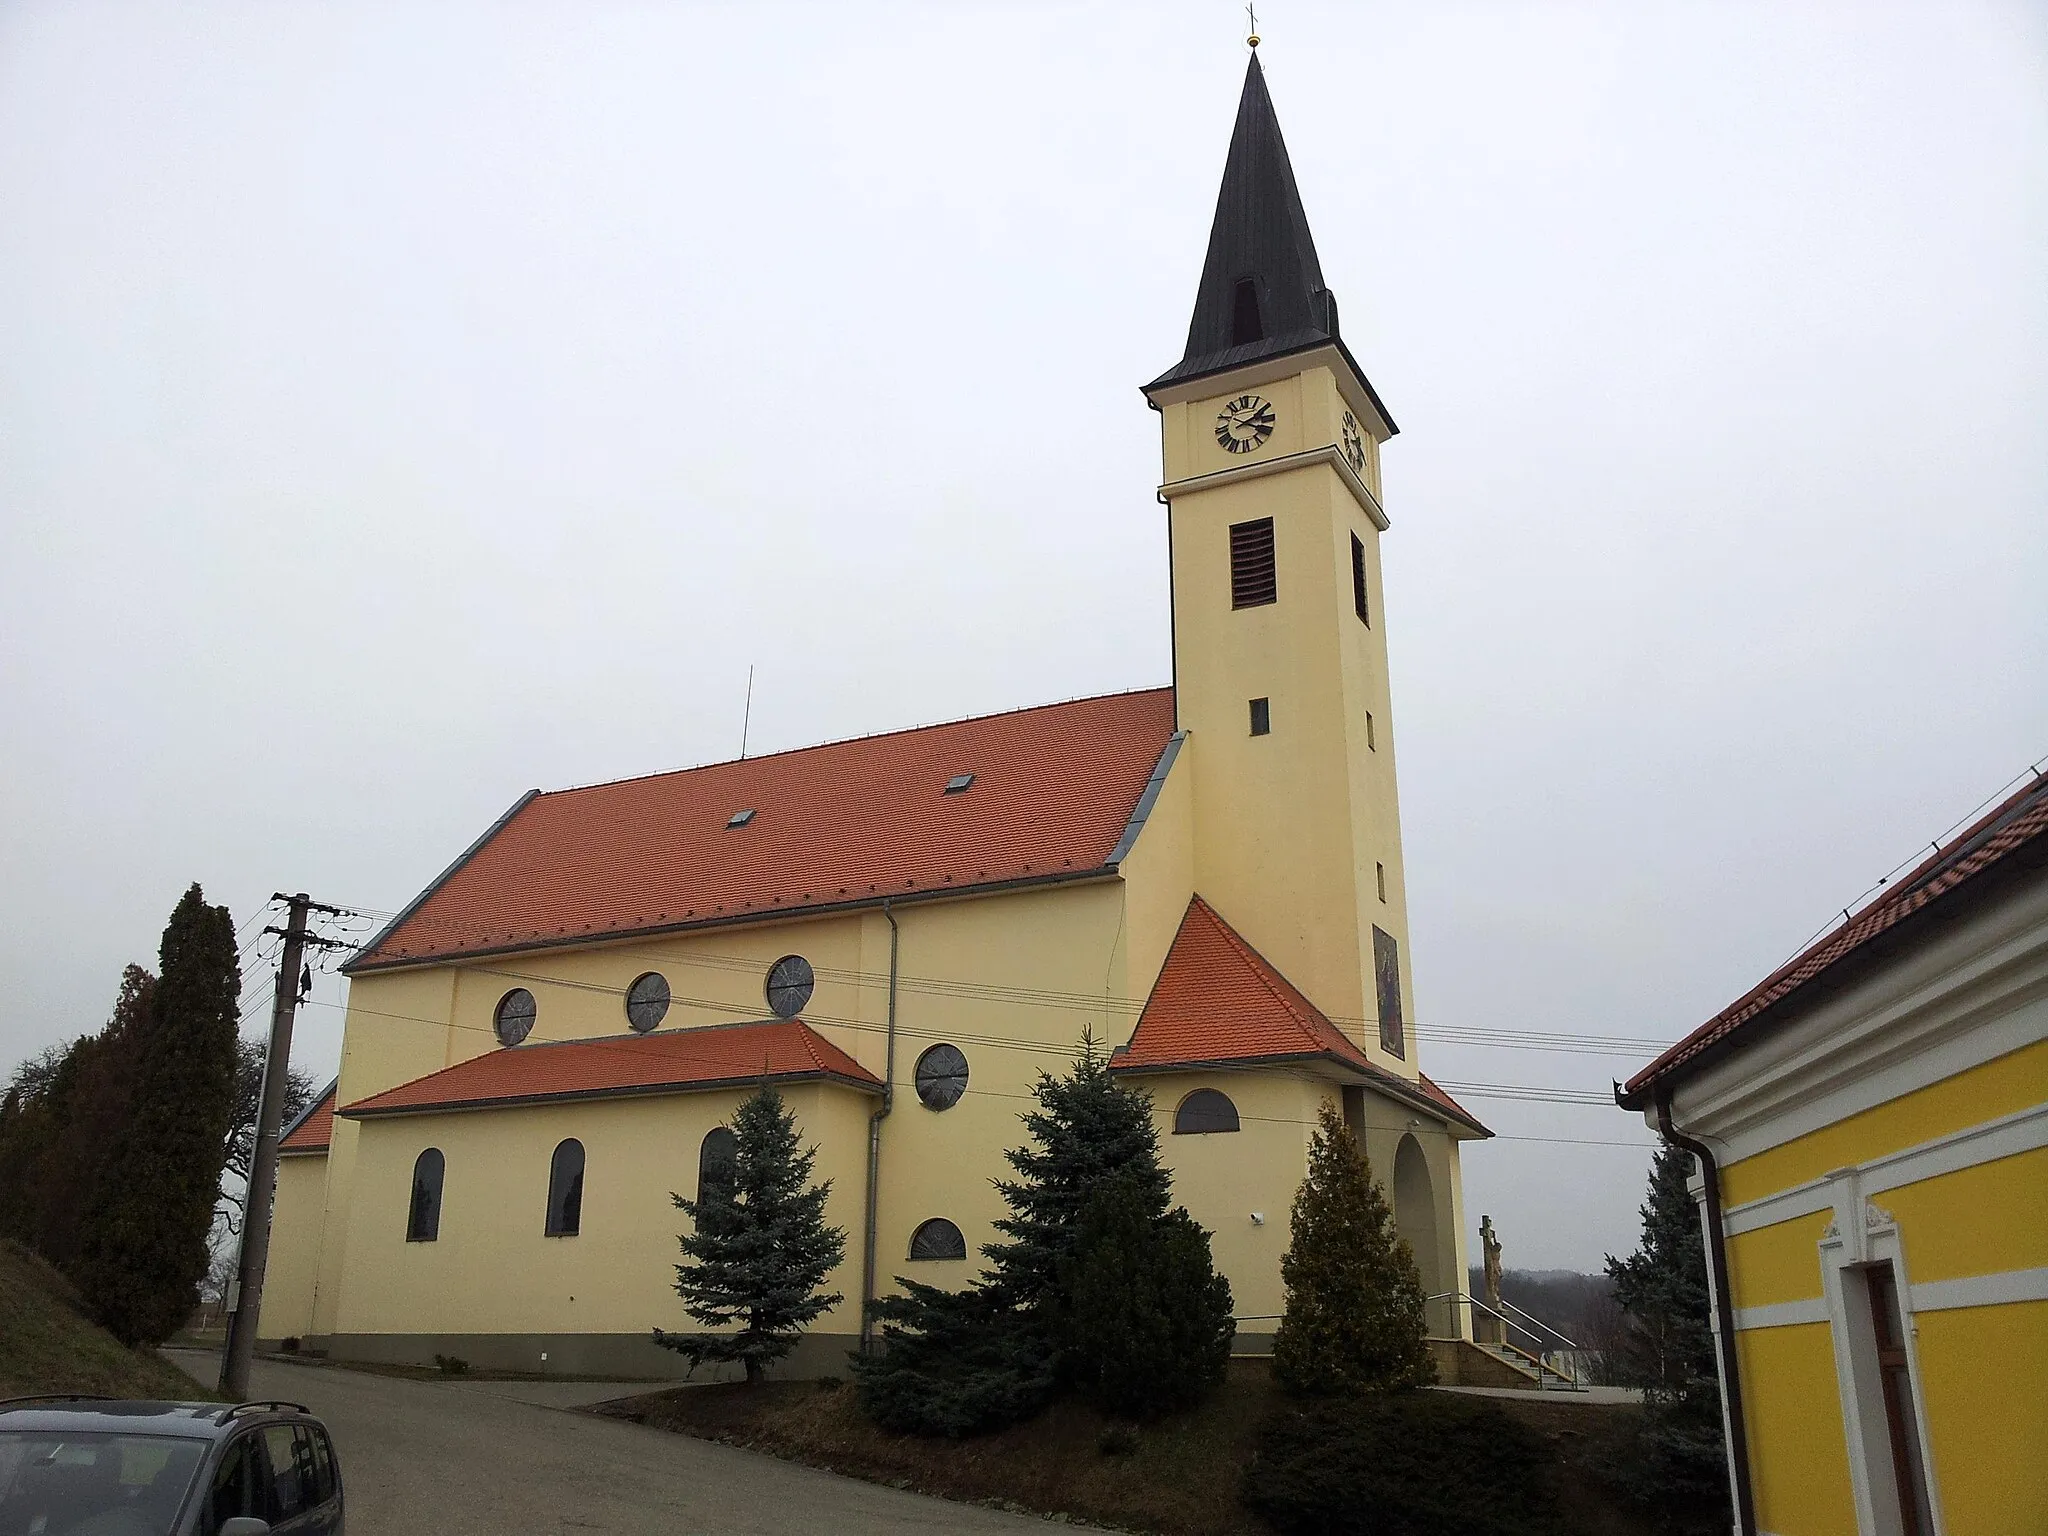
{"x": 2016, "y": 824}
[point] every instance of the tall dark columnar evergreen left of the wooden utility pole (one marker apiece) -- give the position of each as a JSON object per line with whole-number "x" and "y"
{"x": 144, "y": 1242}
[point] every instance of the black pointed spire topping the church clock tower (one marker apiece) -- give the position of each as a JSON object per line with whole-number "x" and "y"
{"x": 1263, "y": 288}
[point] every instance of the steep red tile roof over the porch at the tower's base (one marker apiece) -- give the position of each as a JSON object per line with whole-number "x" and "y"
{"x": 1220, "y": 1002}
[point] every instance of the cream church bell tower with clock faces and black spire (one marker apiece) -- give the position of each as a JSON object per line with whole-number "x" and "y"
{"x": 1273, "y": 478}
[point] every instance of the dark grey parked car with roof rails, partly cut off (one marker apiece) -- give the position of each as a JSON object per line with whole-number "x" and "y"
{"x": 103, "y": 1467}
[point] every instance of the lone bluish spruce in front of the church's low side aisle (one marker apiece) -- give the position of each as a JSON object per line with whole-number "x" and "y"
{"x": 759, "y": 1250}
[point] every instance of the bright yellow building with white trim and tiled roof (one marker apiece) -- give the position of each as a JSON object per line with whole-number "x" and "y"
{"x": 1875, "y": 1134}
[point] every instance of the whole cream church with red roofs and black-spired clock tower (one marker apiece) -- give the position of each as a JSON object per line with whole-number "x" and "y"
{"x": 904, "y": 931}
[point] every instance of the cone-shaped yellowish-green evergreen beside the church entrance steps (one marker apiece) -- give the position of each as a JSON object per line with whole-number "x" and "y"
{"x": 1355, "y": 1302}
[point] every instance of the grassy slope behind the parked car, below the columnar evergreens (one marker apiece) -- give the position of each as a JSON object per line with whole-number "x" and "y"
{"x": 48, "y": 1342}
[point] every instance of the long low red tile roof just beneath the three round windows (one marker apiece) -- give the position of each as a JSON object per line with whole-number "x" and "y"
{"x": 669, "y": 1062}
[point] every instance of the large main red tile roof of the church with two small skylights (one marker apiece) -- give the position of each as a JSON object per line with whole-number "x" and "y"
{"x": 839, "y": 824}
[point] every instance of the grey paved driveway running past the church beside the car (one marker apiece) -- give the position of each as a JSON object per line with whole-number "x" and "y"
{"x": 482, "y": 1459}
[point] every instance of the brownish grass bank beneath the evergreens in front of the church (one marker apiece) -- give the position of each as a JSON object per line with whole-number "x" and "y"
{"x": 1181, "y": 1478}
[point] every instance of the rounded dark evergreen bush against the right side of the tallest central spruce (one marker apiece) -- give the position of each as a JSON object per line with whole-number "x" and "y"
{"x": 1142, "y": 1320}
